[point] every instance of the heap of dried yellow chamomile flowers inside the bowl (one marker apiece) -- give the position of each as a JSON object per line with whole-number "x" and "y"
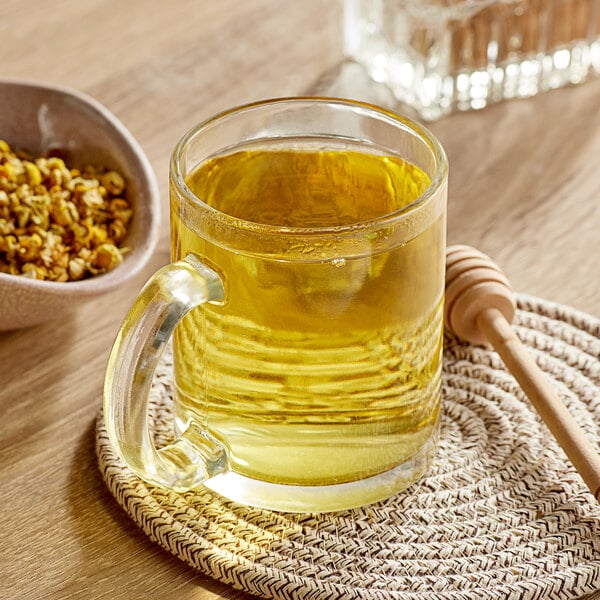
{"x": 59, "y": 223}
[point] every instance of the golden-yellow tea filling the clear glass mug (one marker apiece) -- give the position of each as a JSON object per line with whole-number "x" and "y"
{"x": 323, "y": 364}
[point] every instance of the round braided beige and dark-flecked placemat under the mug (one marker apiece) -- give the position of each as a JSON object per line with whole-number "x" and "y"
{"x": 501, "y": 514}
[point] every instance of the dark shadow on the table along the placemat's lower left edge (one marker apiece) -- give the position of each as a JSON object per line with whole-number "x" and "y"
{"x": 113, "y": 549}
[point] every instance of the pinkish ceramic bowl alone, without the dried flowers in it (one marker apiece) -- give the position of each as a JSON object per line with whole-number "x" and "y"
{"x": 43, "y": 118}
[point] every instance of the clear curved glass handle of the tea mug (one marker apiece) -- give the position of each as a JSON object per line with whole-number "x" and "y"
{"x": 195, "y": 455}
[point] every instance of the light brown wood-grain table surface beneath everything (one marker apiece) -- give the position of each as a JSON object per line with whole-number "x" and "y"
{"x": 524, "y": 188}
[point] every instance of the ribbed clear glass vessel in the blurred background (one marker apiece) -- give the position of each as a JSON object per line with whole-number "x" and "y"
{"x": 443, "y": 55}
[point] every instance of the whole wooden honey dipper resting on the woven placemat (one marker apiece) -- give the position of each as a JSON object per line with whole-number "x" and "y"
{"x": 479, "y": 307}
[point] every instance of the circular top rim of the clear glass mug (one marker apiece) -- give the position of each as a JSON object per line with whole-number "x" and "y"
{"x": 411, "y": 126}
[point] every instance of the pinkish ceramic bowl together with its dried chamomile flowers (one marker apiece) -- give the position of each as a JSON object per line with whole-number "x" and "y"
{"x": 69, "y": 233}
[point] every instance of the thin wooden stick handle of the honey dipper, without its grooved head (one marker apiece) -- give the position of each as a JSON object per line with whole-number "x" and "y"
{"x": 549, "y": 406}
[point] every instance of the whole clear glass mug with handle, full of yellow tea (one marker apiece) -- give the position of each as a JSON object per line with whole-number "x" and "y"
{"x": 305, "y": 305}
